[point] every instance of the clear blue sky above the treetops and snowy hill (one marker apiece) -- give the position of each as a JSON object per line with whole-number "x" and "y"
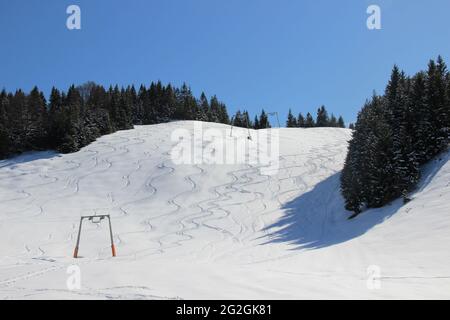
{"x": 275, "y": 54}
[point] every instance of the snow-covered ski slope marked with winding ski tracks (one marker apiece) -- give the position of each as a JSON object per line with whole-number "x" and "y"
{"x": 207, "y": 231}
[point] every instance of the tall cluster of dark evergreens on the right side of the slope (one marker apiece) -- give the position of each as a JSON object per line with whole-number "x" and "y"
{"x": 394, "y": 135}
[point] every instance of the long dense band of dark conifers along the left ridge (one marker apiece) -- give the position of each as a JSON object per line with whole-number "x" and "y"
{"x": 74, "y": 119}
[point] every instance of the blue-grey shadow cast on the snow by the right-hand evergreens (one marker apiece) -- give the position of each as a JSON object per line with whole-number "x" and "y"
{"x": 318, "y": 219}
